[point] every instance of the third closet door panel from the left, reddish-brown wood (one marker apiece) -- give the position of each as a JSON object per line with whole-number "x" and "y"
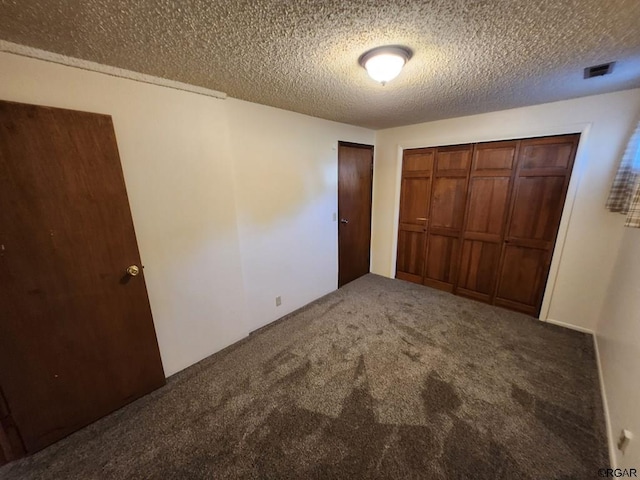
{"x": 486, "y": 214}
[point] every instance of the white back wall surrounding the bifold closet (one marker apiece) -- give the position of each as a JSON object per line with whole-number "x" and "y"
{"x": 589, "y": 235}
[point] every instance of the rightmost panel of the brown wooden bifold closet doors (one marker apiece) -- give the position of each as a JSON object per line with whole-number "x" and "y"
{"x": 540, "y": 187}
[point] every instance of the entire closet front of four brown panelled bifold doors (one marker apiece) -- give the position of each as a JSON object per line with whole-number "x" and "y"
{"x": 481, "y": 220}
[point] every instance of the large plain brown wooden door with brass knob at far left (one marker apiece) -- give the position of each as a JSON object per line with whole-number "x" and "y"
{"x": 76, "y": 334}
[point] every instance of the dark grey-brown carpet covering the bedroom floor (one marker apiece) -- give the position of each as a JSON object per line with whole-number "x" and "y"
{"x": 382, "y": 379}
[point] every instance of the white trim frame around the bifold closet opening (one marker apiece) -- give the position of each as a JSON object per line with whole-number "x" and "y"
{"x": 579, "y": 167}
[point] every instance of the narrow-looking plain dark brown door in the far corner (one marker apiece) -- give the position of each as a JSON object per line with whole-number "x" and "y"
{"x": 355, "y": 177}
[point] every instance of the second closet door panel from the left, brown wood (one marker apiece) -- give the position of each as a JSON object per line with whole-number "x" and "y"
{"x": 444, "y": 229}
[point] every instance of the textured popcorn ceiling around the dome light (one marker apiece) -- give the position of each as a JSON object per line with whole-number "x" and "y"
{"x": 470, "y": 56}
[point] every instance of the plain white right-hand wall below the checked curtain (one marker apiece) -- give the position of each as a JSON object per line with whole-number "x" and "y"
{"x": 618, "y": 339}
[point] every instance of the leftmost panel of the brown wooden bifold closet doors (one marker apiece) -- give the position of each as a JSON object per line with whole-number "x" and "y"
{"x": 417, "y": 173}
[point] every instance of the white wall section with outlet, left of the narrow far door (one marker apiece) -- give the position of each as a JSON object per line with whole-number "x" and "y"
{"x": 286, "y": 176}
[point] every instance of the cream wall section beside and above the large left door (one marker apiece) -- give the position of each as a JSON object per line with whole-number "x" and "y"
{"x": 176, "y": 159}
